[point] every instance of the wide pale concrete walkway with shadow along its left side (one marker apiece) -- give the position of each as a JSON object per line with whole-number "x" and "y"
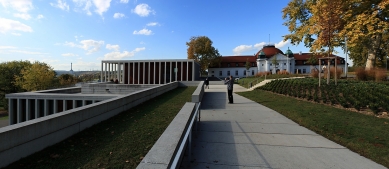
{"x": 248, "y": 135}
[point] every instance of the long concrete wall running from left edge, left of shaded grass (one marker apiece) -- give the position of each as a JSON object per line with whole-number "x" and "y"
{"x": 22, "y": 139}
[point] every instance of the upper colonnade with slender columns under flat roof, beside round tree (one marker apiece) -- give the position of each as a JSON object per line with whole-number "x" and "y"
{"x": 148, "y": 71}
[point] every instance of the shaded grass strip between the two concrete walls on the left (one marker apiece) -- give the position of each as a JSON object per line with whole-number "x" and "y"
{"x": 119, "y": 142}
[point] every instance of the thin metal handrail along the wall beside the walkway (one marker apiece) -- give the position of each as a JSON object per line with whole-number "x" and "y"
{"x": 188, "y": 133}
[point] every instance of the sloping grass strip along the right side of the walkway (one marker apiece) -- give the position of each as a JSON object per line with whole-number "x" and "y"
{"x": 363, "y": 134}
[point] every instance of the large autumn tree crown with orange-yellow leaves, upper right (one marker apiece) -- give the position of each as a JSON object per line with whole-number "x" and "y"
{"x": 359, "y": 21}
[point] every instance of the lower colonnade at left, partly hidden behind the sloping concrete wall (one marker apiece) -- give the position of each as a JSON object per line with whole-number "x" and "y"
{"x": 24, "y": 109}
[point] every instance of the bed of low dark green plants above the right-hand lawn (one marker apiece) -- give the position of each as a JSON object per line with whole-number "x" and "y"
{"x": 360, "y": 95}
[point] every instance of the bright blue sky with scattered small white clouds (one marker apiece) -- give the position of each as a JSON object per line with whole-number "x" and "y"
{"x": 85, "y": 32}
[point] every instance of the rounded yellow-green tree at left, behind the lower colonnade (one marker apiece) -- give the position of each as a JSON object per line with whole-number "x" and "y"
{"x": 39, "y": 76}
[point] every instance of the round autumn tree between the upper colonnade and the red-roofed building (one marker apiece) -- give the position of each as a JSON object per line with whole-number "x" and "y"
{"x": 201, "y": 50}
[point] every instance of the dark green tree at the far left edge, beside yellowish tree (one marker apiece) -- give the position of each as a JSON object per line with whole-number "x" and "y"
{"x": 7, "y": 78}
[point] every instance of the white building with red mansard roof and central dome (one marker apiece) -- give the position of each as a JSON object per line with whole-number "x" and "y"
{"x": 263, "y": 61}
